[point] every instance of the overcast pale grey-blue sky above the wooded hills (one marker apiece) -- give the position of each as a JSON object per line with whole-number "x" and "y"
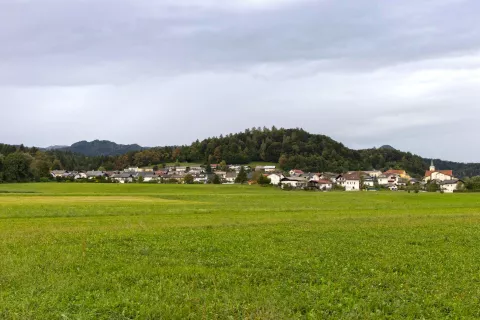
{"x": 166, "y": 72}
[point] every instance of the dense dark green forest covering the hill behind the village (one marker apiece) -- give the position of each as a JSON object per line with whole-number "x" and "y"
{"x": 290, "y": 148}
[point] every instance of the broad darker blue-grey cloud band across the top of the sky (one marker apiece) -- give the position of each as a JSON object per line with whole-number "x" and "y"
{"x": 57, "y": 42}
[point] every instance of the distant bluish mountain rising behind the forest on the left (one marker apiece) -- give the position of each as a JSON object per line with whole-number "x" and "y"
{"x": 102, "y": 148}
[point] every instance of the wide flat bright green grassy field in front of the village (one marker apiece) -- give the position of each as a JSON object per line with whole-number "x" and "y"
{"x": 93, "y": 251}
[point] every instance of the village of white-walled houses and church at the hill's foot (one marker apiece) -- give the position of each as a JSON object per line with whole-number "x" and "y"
{"x": 393, "y": 180}
